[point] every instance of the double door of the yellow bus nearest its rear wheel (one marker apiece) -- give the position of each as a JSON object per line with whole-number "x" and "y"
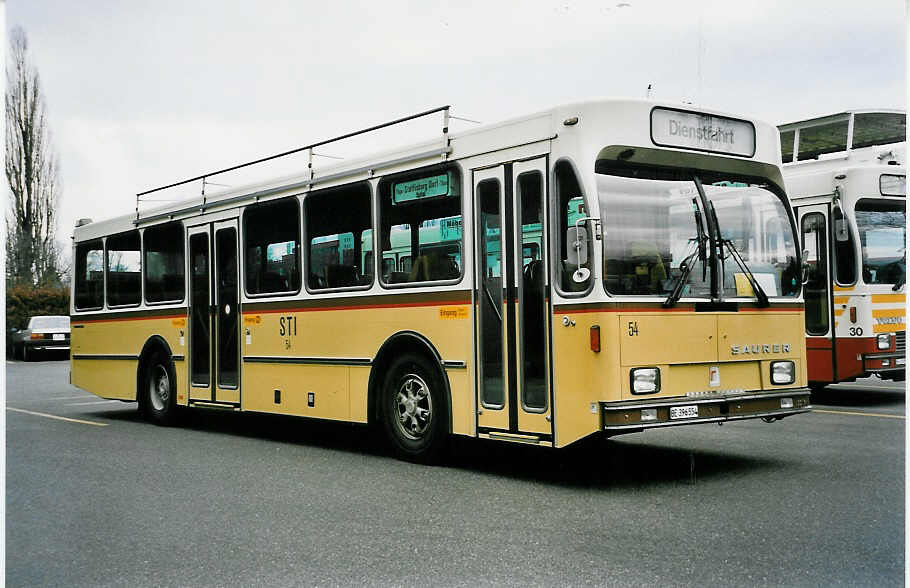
{"x": 214, "y": 313}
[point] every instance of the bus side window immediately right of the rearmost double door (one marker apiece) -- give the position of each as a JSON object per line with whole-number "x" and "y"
{"x": 271, "y": 236}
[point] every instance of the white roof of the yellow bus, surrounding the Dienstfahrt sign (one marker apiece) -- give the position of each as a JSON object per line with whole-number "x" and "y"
{"x": 616, "y": 122}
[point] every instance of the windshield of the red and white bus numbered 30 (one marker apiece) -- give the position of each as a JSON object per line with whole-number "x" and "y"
{"x": 882, "y": 226}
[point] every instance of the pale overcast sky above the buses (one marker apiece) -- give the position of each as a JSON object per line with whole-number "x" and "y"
{"x": 144, "y": 93}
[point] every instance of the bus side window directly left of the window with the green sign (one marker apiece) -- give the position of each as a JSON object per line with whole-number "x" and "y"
{"x": 340, "y": 237}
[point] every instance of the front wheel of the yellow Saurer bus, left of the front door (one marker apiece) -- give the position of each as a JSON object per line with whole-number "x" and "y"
{"x": 414, "y": 410}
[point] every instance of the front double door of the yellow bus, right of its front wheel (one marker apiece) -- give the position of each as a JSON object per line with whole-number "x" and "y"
{"x": 512, "y": 299}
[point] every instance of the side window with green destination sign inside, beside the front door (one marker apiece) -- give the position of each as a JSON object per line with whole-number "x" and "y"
{"x": 421, "y": 226}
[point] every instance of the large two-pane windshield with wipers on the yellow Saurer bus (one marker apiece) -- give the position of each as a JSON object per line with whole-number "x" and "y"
{"x": 655, "y": 229}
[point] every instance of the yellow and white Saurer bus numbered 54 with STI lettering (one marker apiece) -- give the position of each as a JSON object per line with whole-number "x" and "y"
{"x": 597, "y": 268}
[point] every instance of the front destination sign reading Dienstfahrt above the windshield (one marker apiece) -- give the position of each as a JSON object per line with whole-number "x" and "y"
{"x": 704, "y": 132}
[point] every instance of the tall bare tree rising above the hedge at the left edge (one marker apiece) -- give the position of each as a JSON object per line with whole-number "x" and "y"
{"x": 32, "y": 173}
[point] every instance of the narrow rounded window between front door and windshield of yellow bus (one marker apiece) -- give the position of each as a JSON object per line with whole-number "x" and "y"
{"x": 570, "y": 208}
